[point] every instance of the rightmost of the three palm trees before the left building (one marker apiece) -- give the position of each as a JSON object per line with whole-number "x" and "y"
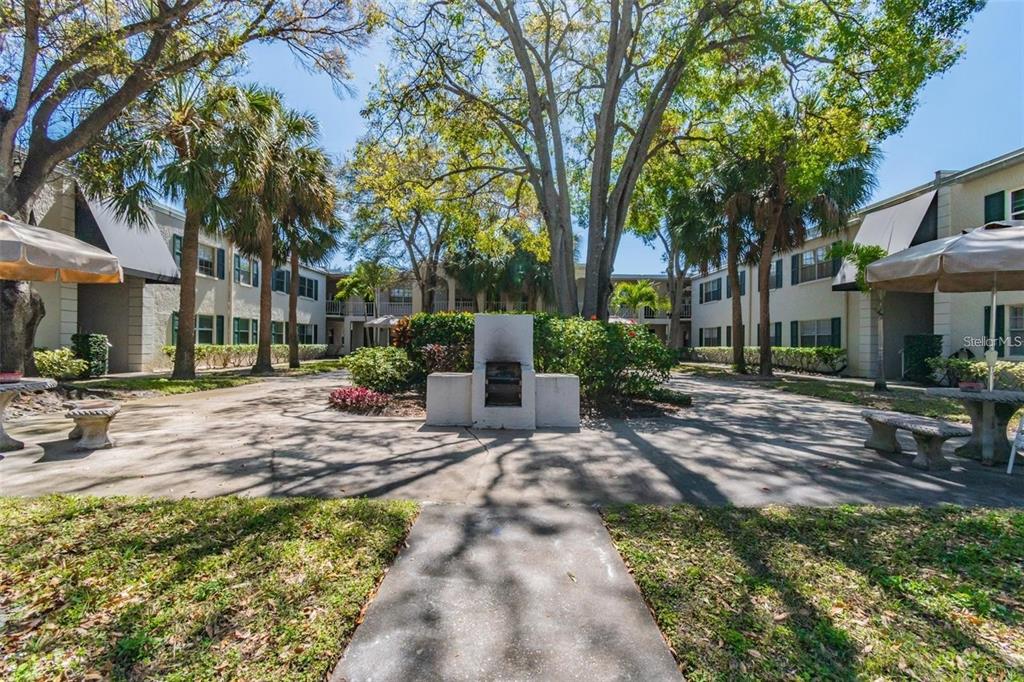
{"x": 310, "y": 226}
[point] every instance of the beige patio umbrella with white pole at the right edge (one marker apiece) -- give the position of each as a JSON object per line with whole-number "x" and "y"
{"x": 986, "y": 259}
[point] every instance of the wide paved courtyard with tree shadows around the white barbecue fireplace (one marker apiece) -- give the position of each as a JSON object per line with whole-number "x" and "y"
{"x": 738, "y": 445}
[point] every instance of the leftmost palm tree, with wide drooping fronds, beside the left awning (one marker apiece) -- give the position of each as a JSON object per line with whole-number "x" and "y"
{"x": 178, "y": 152}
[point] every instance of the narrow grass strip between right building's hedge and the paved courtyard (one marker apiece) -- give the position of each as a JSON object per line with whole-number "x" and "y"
{"x": 898, "y": 400}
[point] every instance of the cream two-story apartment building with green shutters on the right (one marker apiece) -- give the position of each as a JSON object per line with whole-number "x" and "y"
{"x": 816, "y": 302}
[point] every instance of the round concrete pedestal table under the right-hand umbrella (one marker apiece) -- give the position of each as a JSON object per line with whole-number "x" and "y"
{"x": 991, "y": 414}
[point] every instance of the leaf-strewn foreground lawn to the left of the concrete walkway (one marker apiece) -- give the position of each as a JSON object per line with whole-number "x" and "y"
{"x": 102, "y": 588}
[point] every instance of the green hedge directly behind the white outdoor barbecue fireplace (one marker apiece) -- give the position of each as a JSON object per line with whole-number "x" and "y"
{"x": 614, "y": 362}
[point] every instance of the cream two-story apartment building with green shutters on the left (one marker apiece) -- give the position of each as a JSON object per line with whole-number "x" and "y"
{"x": 140, "y": 316}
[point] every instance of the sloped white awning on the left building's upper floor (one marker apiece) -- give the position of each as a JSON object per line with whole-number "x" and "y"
{"x": 142, "y": 250}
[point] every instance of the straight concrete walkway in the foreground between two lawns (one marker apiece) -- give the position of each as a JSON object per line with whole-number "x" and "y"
{"x": 509, "y": 593}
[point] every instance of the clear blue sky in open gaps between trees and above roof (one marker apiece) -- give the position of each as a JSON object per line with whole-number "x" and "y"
{"x": 972, "y": 113}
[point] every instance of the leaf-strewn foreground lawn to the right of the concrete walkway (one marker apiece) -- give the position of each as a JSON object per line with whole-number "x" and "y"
{"x": 843, "y": 593}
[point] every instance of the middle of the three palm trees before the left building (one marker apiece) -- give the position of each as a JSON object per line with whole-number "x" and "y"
{"x": 261, "y": 196}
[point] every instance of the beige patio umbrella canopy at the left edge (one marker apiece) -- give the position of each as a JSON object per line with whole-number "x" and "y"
{"x": 37, "y": 254}
